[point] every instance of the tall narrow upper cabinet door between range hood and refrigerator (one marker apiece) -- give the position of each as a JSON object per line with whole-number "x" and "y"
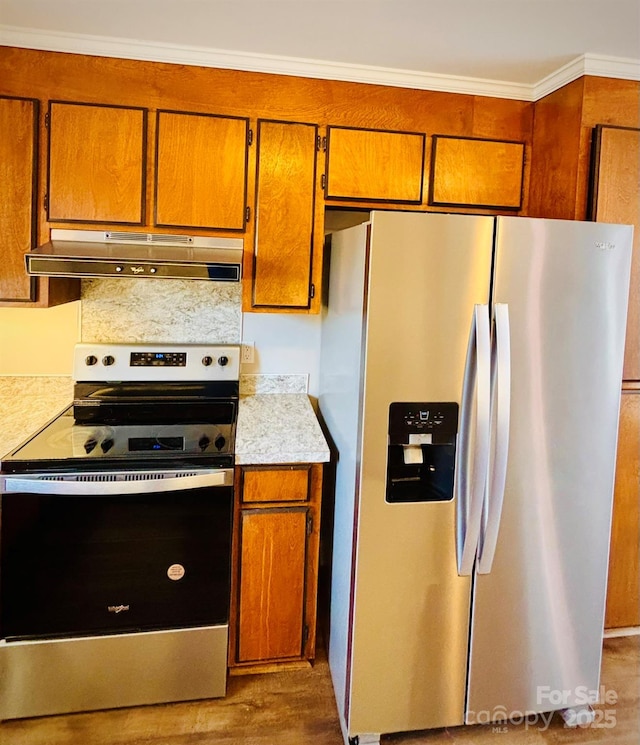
{"x": 284, "y": 247}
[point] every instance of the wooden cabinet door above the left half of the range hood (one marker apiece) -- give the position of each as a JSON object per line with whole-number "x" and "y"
{"x": 97, "y": 163}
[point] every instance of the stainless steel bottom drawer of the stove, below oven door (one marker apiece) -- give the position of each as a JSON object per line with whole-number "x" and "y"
{"x": 56, "y": 676}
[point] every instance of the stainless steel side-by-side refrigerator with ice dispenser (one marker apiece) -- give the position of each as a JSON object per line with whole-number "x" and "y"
{"x": 470, "y": 382}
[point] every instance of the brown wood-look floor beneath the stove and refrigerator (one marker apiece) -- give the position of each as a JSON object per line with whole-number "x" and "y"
{"x": 298, "y": 708}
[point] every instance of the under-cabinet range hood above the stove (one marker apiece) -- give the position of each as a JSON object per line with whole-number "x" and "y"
{"x": 93, "y": 253}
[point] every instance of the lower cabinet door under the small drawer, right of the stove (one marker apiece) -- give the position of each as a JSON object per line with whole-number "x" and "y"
{"x": 272, "y": 584}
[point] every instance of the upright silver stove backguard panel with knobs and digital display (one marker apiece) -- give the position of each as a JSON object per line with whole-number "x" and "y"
{"x": 156, "y": 362}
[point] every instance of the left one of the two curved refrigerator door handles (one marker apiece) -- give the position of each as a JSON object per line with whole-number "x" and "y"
{"x": 472, "y": 462}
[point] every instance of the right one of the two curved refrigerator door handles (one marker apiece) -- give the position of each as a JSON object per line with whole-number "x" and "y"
{"x": 500, "y": 416}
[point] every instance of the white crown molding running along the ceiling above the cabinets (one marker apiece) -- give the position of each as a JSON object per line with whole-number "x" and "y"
{"x": 105, "y": 46}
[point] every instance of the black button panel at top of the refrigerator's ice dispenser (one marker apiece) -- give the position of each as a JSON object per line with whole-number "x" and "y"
{"x": 439, "y": 419}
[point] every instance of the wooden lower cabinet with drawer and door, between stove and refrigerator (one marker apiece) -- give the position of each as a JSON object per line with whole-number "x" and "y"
{"x": 275, "y": 567}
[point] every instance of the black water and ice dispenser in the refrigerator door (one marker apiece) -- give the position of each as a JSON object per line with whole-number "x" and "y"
{"x": 422, "y": 451}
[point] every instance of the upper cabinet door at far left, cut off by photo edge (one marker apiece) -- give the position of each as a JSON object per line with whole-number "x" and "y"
{"x": 18, "y": 167}
